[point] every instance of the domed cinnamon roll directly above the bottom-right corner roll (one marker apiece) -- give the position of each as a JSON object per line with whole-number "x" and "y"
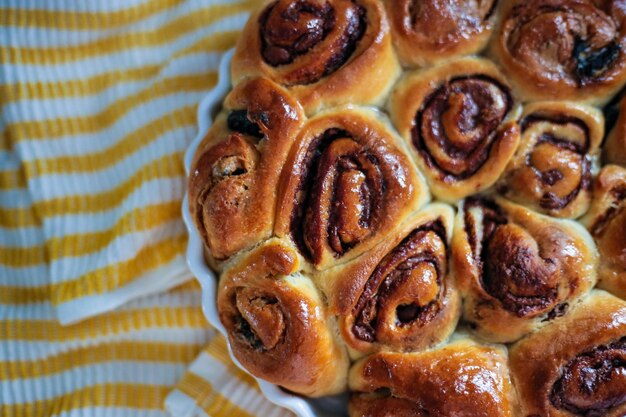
{"x": 516, "y": 269}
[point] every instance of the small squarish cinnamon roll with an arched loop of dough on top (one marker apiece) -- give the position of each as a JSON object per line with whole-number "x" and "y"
{"x": 551, "y": 171}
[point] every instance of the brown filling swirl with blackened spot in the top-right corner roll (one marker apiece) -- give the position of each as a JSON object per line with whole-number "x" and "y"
{"x": 576, "y": 41}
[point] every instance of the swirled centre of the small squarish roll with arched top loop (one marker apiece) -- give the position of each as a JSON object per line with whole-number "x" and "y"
{"x": 558, "y": 167}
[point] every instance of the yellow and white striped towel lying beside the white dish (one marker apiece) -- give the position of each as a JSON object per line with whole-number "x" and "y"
{"x": 97, "y": 105}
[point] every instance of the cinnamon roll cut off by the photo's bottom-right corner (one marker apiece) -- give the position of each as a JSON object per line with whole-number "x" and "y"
{"x": 577, "y": 365}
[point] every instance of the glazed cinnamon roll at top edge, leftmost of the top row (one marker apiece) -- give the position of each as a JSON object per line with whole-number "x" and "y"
{"x": 327, "y": 52}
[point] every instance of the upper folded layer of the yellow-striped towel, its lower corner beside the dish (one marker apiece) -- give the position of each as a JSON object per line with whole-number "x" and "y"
{"x": 99, "y": 105}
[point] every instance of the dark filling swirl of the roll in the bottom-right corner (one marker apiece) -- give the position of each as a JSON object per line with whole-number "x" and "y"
{"x": 593, "y": 383}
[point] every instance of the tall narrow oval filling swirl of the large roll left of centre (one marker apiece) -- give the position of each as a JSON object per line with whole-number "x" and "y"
{"x": 342, "y": 189}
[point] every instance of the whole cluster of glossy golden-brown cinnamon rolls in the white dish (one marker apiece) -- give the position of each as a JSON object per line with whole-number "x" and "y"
{"x": 421, "y": 202}
